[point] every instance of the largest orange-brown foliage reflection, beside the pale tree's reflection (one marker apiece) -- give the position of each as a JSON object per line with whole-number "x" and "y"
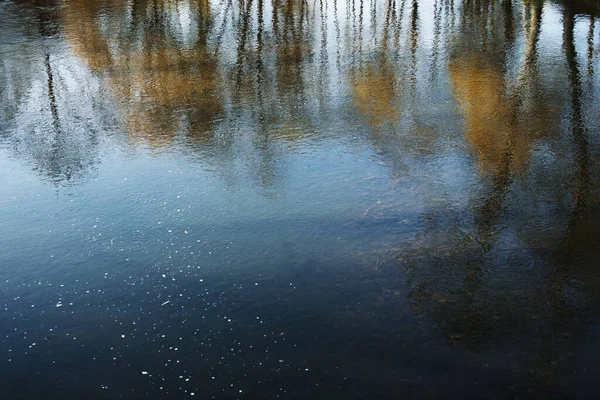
{"x": 156, "y": 60}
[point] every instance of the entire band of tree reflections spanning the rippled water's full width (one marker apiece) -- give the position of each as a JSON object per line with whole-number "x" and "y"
{"x": 472, "y": 107}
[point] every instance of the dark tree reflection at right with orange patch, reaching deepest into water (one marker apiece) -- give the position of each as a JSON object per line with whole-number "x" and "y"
{"x": 512, "y": 266}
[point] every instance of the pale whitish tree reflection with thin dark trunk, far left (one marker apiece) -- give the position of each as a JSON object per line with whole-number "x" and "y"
{"x": 53, "y": 108}
